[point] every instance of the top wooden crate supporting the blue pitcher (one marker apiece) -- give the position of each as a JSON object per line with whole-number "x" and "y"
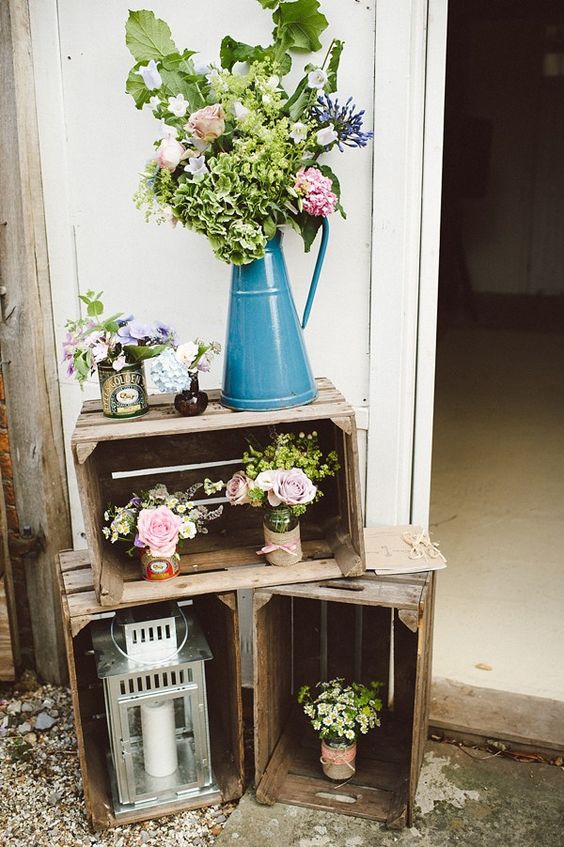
{"x": 212, "y": 445}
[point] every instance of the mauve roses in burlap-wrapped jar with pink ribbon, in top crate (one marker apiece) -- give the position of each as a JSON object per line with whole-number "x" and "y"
{"x": 283, "y": 479}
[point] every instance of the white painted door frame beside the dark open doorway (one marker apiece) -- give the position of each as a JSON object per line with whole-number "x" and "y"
{"x": 410, "y": 69}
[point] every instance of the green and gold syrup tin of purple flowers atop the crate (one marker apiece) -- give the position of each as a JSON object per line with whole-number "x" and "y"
{"x": 115, "y": 347}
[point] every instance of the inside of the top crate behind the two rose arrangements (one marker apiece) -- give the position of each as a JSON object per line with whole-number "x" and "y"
{"x": 116, "y": 469}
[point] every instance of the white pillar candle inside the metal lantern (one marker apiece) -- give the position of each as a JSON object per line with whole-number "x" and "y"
{"x": 159, "y": 738}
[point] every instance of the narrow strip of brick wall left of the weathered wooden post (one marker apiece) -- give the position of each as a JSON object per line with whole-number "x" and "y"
{"x": 24, "y": 623}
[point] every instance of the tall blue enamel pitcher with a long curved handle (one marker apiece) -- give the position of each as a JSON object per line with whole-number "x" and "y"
{"x": 266, "y": 363}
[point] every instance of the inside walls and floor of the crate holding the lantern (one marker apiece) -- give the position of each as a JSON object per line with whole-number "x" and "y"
{"x": 219, "y": 622}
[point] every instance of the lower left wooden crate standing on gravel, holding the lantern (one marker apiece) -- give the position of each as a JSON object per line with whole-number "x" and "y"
{"x": 218, "y": 617}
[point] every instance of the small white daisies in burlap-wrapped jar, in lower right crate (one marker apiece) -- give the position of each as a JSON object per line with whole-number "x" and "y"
{"x": 339, "y": 712}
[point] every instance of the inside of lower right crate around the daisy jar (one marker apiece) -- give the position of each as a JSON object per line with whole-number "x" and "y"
{"x": 323, "y": 640}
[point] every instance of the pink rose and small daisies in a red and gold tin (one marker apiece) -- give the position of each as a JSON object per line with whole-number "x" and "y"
{"x": 158, "y": 524}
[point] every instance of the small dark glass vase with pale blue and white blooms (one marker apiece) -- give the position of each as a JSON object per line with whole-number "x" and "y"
{"x": 177, "y": 370}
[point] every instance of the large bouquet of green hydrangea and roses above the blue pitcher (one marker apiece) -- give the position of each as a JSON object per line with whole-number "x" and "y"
{"x": 238, "y": 155}
